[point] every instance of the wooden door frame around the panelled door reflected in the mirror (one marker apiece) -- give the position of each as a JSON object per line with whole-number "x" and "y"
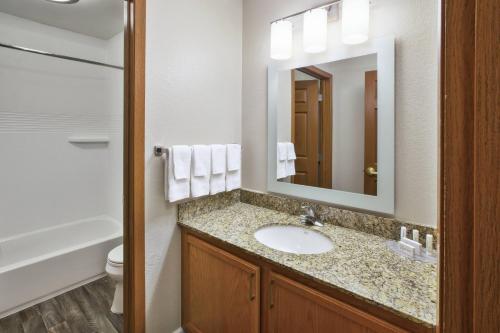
{"x": 326, "y": 89}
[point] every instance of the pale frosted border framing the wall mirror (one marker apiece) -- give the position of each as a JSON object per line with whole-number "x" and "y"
{"x": 383, "y": 202}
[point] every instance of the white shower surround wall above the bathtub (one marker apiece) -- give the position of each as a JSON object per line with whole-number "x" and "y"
{"x": 45, "y": 180}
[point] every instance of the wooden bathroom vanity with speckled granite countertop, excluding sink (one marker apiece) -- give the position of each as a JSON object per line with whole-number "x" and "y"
{"x": 233, "y": 283}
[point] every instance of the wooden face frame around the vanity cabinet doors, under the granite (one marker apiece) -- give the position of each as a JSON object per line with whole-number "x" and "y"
{"x": 268, "y": 266}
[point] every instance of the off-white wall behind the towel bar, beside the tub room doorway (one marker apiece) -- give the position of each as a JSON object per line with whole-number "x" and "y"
{"x": 193, "y": 95}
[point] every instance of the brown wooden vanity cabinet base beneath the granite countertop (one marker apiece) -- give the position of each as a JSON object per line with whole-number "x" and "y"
{"x": 225, "y": 290}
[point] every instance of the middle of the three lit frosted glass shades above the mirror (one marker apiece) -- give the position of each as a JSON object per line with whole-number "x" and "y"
{"x": 315, "y": 30}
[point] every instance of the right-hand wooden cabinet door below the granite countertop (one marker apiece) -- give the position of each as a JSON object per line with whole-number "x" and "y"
{"x": 294, "y": 307}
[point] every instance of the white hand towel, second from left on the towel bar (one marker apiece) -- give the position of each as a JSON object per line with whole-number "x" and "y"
{"x": 200, "y": 183}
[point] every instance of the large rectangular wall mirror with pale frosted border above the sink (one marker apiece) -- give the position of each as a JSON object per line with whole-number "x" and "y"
{"x": 331, "y": 127}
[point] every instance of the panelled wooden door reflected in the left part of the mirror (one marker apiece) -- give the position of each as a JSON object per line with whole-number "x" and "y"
{"x": 305, "y": 132}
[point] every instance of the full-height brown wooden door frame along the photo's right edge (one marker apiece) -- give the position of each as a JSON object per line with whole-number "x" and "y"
{"x": 469, "y": 178}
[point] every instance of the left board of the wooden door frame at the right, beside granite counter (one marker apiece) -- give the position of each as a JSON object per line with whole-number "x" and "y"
{"x": 456, "y": 196}
